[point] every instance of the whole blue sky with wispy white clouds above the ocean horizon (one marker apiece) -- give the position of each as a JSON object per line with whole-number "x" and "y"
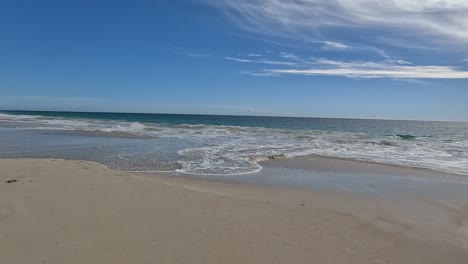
{"x": 387, "y": 59}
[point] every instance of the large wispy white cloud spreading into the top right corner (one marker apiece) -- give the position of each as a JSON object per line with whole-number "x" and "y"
{"x": 311, "y": 19}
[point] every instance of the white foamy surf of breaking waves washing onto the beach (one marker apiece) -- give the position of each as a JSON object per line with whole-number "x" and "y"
{"x": 228, "y": 150}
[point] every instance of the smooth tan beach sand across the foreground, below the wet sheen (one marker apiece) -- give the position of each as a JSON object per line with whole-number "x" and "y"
{"x": 82, "y": 212}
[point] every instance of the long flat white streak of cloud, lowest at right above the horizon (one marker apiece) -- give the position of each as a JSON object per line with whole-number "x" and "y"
{"x": 360, "y": 69}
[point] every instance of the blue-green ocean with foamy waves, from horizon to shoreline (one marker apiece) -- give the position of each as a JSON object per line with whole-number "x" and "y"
{"x": 220, "y": 146}
